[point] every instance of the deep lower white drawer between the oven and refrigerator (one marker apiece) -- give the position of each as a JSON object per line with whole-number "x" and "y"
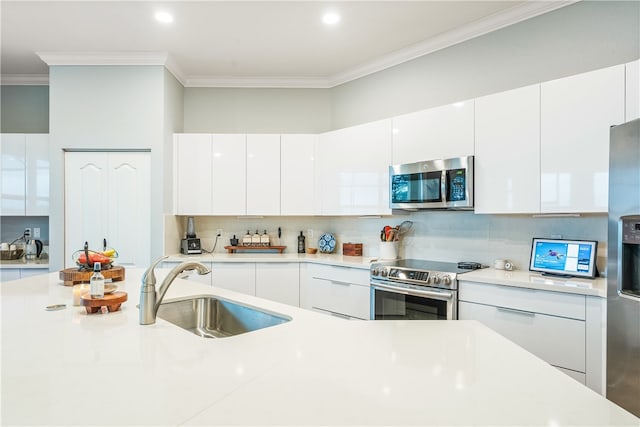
{"x": 558, "y": 341}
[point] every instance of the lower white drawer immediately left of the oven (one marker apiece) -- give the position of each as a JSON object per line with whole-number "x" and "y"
{"x": 340, "y": 297}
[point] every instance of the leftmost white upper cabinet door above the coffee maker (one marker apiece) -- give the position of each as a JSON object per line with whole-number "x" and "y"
{"x": 193, "y": 174}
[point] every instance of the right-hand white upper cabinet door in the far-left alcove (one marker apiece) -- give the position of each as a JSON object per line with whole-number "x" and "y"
{"x": 37, "y": 174}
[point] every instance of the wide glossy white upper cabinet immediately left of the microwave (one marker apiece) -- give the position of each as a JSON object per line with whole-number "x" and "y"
{"x": 353, "y": 169}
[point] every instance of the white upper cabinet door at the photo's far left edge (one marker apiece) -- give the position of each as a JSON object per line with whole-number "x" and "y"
{"x": 12, "y": 174}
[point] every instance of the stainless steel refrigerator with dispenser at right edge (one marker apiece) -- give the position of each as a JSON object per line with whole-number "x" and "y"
{"x": 623, "y": 268}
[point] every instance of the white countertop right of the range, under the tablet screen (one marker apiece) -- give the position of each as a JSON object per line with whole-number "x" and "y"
{"x": 526, "y": 279}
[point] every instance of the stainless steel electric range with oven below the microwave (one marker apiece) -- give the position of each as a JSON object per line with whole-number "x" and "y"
{"x": 410, "y": 289}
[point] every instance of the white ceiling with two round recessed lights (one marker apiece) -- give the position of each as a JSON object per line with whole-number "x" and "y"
{"x": 244, "y": 43}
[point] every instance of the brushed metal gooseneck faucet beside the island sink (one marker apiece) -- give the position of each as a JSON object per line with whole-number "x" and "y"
{"x": 150, "y": 299}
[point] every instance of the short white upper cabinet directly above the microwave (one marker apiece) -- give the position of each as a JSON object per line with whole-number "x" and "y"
{"x": 436, "y": 133}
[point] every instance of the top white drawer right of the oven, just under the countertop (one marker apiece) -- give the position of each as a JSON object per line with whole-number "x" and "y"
{"x": 533, "y": 300}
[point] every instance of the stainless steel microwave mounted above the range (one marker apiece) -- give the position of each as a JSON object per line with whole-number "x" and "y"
{"x": 434, "y": 184}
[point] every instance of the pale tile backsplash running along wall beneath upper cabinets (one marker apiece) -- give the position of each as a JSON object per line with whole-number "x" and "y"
{"x": 435, "y": 235}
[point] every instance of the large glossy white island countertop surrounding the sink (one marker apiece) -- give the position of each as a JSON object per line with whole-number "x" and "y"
{"x": 69, "y": 368}
